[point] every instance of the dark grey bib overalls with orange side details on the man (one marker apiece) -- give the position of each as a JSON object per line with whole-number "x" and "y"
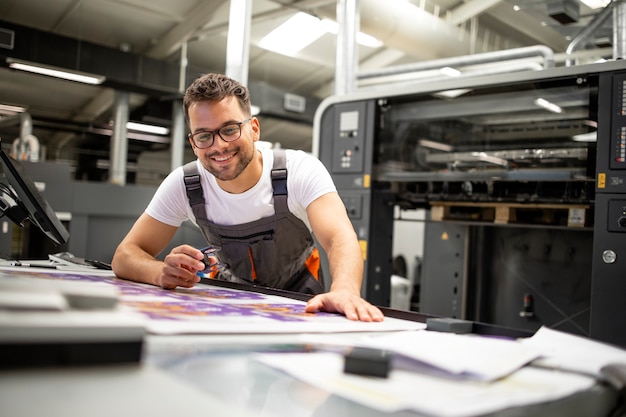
{"x": 276, "y": 251}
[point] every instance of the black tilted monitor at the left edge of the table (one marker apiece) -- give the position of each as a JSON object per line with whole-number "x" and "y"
{"x": 32, "y": 204}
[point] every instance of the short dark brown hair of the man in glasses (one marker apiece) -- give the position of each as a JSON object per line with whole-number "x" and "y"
{"x": 215, "y": 87}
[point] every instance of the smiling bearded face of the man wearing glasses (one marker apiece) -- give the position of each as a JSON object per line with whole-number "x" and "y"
{"x": 225, "y": 160}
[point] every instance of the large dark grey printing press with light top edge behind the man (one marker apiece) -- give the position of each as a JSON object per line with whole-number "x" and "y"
{"x": 521, "y": 177}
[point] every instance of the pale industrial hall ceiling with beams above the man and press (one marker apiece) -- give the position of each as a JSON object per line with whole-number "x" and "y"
{"x": 66, "y": 116}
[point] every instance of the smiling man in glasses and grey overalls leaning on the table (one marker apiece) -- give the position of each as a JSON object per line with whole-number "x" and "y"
{"x": 259, "y": 206}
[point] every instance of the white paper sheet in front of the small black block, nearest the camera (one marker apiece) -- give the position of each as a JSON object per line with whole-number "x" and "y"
{"x": 424, "y": 393}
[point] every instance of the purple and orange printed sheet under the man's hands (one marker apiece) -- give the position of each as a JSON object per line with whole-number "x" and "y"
{"x": 207, "y": 309}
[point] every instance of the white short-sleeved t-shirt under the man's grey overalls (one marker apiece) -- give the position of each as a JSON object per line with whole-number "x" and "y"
{"x": 307, "y": 180}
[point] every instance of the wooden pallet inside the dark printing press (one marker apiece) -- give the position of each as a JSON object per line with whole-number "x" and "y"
{"x": 504, "y": 213}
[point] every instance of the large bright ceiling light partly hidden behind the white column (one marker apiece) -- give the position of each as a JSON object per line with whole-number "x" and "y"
{"x": 301, "y": 30}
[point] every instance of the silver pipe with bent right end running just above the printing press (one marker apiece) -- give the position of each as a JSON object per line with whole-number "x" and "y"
{"x": 462, "y": 61}
